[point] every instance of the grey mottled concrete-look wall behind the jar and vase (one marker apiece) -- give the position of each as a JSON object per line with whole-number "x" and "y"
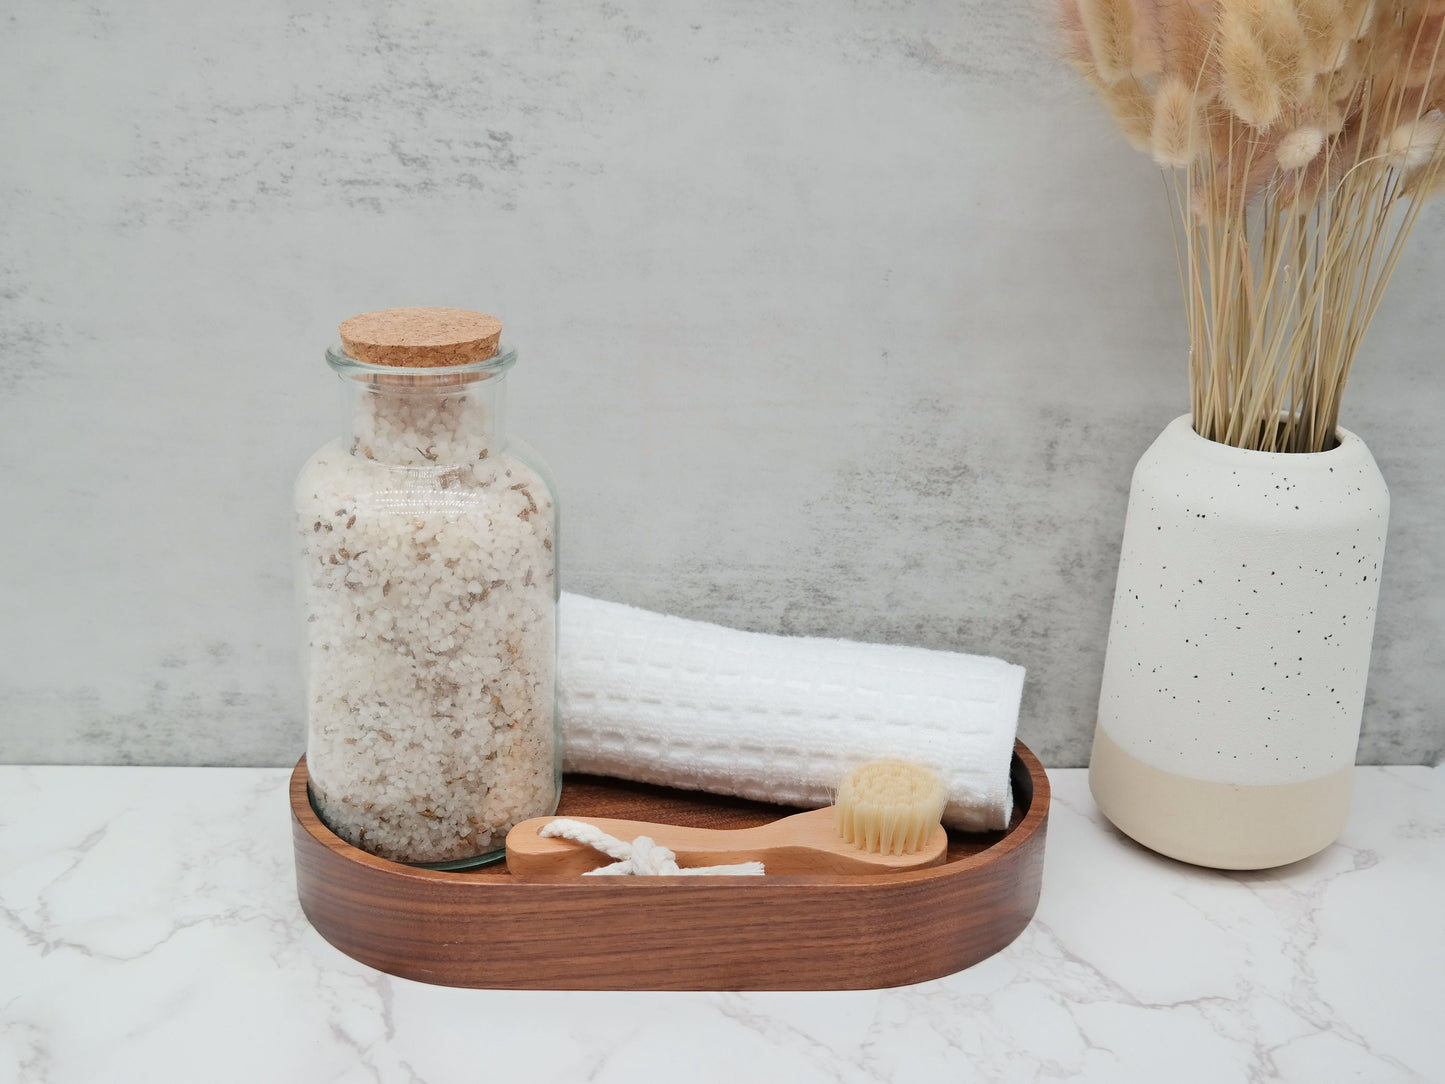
{"x": 834, "y": 319}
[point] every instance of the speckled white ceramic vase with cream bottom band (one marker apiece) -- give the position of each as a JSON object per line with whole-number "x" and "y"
{"x": 1239, "y": 650}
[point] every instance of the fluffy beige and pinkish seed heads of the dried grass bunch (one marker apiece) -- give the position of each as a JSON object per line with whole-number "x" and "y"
{"x": 1264, "y": 89}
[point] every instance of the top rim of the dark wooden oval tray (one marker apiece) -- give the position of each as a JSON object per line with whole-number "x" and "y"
{"x": 1012, "y": 839}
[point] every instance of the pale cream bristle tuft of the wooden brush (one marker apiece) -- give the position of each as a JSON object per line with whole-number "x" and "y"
{"x": 889, "y": 807}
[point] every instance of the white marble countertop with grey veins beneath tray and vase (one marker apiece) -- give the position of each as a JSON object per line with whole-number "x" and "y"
{"x": 150, "y": 932}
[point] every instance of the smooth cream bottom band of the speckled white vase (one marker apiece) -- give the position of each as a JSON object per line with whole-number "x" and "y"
{"x": 1222, "y": 826}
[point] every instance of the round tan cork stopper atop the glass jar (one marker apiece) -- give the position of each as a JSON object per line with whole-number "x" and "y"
{"x": 421, "y": 339}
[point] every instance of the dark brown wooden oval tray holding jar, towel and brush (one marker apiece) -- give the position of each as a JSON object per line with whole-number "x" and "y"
{"x": 483, "y": 929}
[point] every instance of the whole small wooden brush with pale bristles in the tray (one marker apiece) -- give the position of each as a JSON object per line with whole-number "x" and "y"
{"x": 885, "y": 820}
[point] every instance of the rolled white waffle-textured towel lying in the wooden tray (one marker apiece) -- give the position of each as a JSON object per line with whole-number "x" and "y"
{"x": 780, "y": 719}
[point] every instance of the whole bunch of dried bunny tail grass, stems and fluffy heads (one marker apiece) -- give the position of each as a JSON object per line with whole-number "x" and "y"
{"x": 1308, "y": 135}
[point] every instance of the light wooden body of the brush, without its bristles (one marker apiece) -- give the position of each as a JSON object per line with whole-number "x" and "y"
{"x": 803, "y": 843}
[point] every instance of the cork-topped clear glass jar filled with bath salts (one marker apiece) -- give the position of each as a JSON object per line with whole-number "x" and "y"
{"x": 428, "y": 592}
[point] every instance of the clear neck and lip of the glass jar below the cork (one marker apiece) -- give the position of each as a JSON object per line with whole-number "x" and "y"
{"x": 424, "y": 418}
